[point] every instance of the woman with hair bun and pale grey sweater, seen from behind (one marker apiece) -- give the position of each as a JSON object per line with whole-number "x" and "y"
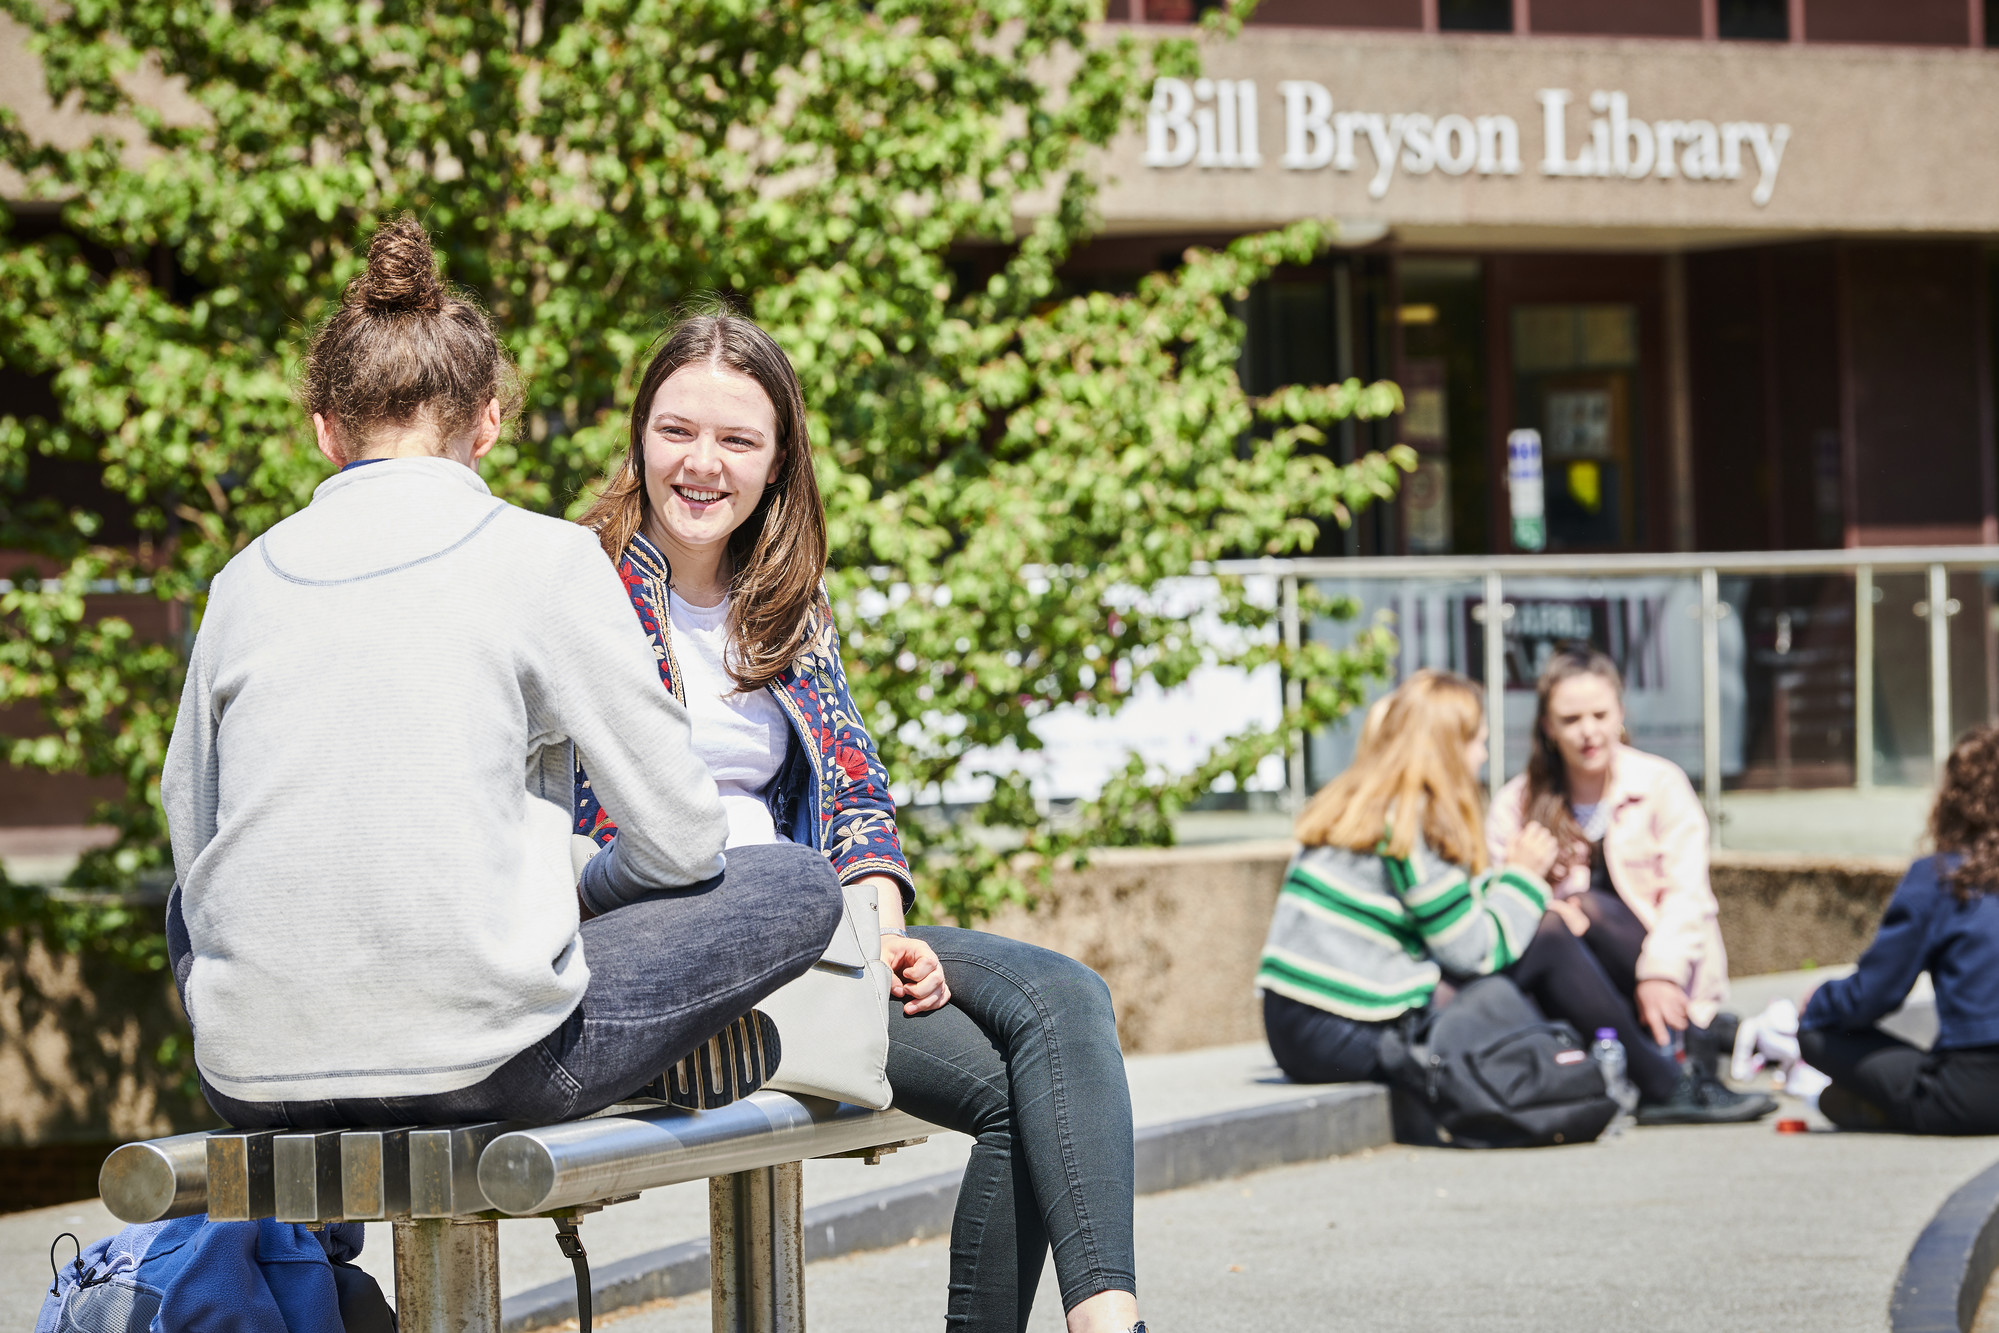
{"x": 377, "y": 920}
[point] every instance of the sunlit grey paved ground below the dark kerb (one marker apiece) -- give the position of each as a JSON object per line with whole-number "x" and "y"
{"x": 1658, "y": 1232}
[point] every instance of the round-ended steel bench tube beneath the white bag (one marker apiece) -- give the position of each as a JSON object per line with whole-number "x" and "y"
{"x": 537, "y": 1170}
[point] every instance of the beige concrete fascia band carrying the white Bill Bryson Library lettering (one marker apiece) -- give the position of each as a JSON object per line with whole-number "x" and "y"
{"x": 1554, "y": 143}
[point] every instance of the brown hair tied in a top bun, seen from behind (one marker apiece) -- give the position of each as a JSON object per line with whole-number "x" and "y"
{"x": 405, "y": 349}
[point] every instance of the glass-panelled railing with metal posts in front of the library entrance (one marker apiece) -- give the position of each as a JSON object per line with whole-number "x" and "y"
{"x": 1808, "y": 694}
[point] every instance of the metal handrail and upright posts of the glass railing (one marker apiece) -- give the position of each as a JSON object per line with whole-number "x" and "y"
{"x": 1490, "y": 573}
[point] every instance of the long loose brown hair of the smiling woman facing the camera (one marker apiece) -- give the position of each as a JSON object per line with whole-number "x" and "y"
{"x": 779, "y": 555}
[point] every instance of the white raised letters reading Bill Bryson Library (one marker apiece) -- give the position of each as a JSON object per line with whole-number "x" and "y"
{"x": 1216, "y": 123}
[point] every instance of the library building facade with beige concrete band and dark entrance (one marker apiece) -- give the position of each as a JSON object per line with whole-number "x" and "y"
{"x": 1740, "y": 287}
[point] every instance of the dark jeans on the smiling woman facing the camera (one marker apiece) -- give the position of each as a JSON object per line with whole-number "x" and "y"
{"x": 1026, "y": 1062}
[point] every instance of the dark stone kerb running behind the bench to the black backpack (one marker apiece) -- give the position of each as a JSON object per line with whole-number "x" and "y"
{"x": 1210, "y": 1148}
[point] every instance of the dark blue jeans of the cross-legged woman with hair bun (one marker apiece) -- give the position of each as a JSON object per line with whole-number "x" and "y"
{"x": 667, "y": 974}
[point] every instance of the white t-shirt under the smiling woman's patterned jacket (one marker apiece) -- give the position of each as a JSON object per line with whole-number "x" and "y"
{"x": 741, "y": 736}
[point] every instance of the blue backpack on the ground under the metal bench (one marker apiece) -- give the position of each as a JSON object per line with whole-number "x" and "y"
{"x": 203, "y": 1276}
